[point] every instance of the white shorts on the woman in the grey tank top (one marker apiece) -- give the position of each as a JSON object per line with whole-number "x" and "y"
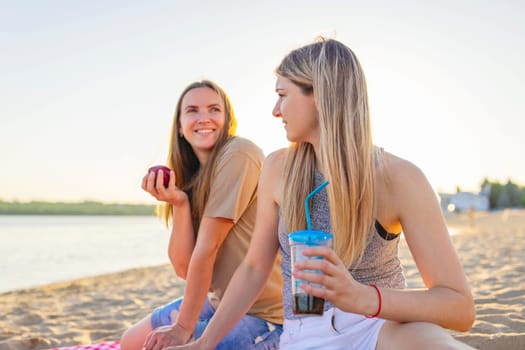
{"x": 316, "y": 332}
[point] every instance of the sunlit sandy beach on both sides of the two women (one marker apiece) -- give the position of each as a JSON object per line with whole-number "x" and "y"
{"x": 490, "y": 246}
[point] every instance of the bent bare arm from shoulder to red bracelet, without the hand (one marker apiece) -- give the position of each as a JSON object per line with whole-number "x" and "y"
{"x": 447, "y": 300}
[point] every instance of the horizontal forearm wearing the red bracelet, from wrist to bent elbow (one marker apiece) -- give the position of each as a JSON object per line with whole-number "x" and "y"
{"x": 440, "y": 305}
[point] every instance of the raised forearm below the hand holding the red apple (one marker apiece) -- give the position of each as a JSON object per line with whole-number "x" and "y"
{"x": 182, "y": 240}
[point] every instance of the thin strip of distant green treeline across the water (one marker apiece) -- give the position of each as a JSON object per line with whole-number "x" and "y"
{"x": 74, "y": 208}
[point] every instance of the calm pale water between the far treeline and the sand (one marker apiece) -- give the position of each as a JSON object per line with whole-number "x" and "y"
{"x": 37, "y": 250}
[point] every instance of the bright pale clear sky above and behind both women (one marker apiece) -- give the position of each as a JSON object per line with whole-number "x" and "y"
{"x": 88, "y": 88}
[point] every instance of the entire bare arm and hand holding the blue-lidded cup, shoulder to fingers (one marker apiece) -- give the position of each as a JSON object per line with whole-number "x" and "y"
{"x": 408, "y": 201}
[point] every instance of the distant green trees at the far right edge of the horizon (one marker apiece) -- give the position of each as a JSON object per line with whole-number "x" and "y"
{"x": 508, "y": 195}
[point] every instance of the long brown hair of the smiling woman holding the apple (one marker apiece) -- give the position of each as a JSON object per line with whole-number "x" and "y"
{"x": 190, "y": 176}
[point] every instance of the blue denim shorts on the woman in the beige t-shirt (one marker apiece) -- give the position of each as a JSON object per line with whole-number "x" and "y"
{"x": 250, "y": 333}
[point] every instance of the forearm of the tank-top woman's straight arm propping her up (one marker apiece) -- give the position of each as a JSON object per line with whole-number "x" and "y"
{"x": 242, "y": 291}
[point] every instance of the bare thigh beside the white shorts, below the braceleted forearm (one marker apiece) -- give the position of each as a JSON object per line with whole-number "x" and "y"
{"x": 416, "y": 335}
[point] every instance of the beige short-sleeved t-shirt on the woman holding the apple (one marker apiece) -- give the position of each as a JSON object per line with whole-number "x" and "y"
{"x": 233, "y": 195}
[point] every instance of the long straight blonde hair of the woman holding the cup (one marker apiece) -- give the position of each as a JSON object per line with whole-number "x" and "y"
{"x": 331, "y": 71}
